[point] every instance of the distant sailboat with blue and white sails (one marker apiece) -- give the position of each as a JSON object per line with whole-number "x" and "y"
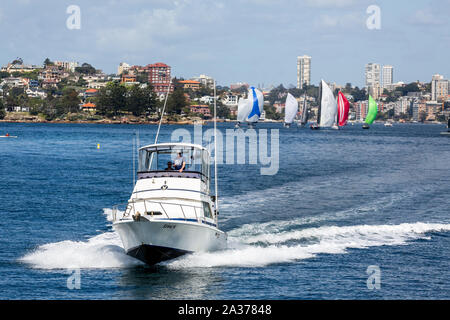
{"x": 250, "y": 109}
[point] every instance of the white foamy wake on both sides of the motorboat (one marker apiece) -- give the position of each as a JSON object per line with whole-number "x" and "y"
{"x": 251, "y": 245}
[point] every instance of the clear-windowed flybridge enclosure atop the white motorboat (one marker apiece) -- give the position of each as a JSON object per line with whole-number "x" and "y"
{"x": 168, "y": 158}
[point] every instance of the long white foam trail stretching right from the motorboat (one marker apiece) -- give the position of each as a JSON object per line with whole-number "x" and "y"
{"x": 271, "y": 248}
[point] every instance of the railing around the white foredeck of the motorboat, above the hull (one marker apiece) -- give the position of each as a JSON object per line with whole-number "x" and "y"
{"x": 135, "y": 208}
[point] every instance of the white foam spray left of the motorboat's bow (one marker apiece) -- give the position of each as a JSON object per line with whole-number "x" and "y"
{"x": 102, "y": 251}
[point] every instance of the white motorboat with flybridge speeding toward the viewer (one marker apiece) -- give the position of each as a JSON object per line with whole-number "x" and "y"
{"x": 171, "y": 212}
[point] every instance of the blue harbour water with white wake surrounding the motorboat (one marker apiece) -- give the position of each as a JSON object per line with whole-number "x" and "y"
{"x": 341, "y": 201}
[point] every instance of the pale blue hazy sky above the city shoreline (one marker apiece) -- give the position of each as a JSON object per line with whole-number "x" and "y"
{"x": 253, "y": 41}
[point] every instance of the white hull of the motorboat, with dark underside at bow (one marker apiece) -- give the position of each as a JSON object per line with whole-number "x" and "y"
{"x": 153, "y": 241}
